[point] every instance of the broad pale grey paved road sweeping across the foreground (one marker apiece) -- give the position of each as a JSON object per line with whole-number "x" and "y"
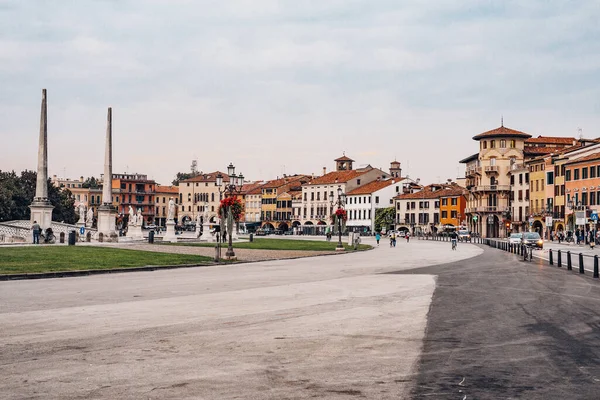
{"x": 330, "y": 327}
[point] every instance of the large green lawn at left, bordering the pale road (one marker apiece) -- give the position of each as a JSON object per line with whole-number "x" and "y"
{"x": 18, "y": 260}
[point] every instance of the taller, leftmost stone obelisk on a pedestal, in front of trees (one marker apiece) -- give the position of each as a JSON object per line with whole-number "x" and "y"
{"x": 41, "y": 209}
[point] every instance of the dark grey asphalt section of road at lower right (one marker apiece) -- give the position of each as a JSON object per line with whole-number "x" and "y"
{"x": 500, "y": 328}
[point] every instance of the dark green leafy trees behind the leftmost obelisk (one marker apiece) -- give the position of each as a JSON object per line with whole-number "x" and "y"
{"x": 17, "y": 192}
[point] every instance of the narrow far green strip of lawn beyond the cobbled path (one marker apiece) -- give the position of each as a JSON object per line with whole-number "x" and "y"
{"x": 282, "y": 244}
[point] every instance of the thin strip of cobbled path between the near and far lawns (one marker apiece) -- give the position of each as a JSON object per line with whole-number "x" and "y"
{"x": 241, "y": 254}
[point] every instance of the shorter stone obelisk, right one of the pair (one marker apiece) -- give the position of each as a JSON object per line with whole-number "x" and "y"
{"x": 106, "y": 212}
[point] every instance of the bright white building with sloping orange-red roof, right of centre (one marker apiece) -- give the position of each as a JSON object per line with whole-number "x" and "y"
{"x": 362, "y": 202}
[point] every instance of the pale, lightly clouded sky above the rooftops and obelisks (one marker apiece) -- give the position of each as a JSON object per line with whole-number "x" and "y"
{"x": 287, "y": 86}
